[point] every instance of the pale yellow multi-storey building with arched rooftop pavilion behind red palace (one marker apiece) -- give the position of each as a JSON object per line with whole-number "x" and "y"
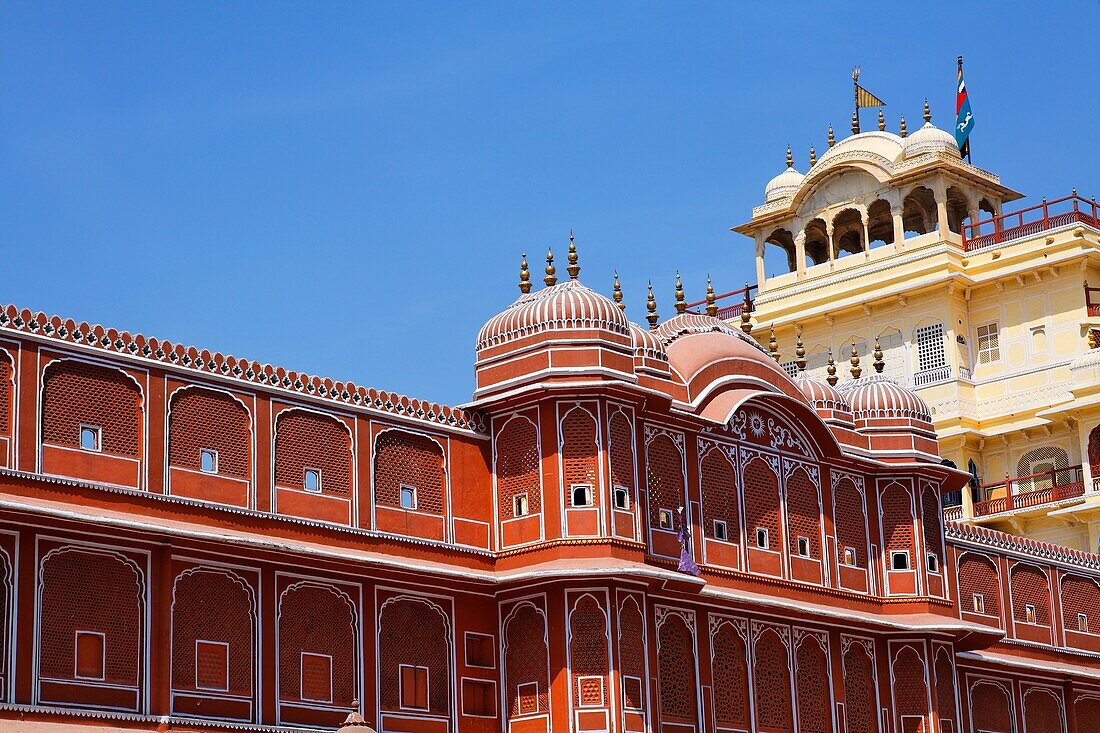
{"x": 982, "y": 309}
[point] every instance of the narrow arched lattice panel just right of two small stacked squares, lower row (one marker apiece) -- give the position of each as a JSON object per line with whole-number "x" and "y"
{"x": 525, "y": 662}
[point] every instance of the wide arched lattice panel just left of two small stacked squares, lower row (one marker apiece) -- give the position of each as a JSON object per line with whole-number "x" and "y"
{"x": 414, "y": 669}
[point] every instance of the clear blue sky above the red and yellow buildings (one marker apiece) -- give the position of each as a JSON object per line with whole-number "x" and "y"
{"x": 345, "y": 189}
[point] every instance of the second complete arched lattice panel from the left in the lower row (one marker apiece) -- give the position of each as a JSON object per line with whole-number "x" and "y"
{"x": 213, "y": 632}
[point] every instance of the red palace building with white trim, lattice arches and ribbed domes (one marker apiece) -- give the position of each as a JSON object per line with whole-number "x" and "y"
{"x": 628, "y": 530}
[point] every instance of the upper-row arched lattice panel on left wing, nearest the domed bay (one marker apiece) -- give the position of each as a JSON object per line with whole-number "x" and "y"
{"x": 409, "y": 472}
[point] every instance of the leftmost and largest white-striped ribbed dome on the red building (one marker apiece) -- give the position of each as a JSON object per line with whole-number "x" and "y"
{"x": 565, "y": 307}
